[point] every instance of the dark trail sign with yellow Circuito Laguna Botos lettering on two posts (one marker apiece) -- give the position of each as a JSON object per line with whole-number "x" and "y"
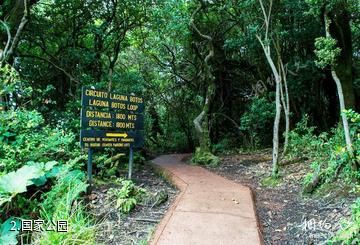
{"x": 110, "y": 120}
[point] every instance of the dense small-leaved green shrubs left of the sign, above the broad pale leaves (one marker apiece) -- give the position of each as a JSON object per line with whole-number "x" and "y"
{"x": 24, "y": 138}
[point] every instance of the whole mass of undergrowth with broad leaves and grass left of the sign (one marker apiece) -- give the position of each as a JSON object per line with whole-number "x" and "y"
{"x": 35, "y": 159}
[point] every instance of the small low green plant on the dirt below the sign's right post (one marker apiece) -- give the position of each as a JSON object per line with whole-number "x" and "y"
{"x": 128, "y": 196}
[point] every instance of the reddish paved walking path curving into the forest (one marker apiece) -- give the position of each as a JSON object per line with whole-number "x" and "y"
{"x": 209, "y": 209}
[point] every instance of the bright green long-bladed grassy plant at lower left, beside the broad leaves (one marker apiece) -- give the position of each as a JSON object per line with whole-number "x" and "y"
{"x": 62, "y": 203}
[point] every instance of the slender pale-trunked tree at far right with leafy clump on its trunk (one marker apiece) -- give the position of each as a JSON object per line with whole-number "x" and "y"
{"x": 335, "y": 53}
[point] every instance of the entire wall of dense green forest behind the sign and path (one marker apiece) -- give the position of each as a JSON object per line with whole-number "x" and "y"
{"x": 202, "y": 67}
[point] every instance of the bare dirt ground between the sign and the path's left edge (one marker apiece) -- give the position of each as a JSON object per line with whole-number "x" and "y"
{"x": 137, "y": 226}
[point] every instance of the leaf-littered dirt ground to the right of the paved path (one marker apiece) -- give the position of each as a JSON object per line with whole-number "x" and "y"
{"x": 286, "y": 216}
